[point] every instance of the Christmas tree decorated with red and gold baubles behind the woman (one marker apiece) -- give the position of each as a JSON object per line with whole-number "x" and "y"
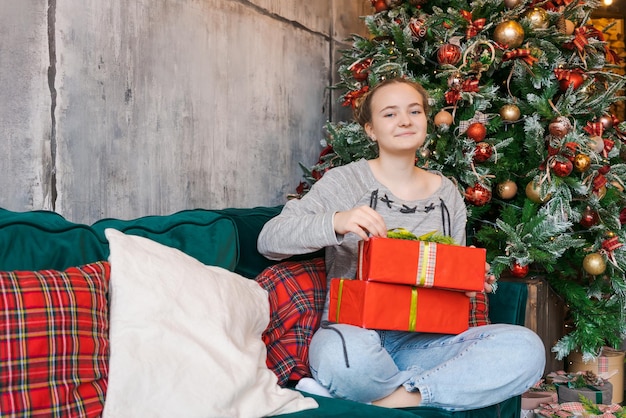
{"x": 526, "y": 103}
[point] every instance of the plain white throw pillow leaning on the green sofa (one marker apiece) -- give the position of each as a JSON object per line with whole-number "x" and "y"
{"x": 185, "y": 338}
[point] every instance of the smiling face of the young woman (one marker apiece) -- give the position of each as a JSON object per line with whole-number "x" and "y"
{"x": 398, "y": 121}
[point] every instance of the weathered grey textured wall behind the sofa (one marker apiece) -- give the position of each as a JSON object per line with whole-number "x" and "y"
{"x": 140, "y": 107}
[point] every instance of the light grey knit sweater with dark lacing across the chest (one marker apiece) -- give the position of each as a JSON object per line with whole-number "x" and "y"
{"x": 306, "y": 225}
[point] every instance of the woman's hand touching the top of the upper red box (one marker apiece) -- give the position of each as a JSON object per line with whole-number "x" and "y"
{"x": 361, "y": 220}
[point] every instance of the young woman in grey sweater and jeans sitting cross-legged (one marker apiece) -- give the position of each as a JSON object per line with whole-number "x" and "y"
{"x": 480, "y": 367}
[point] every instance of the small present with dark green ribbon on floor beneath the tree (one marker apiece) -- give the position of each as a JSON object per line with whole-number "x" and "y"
{"x": 571, "y": 386}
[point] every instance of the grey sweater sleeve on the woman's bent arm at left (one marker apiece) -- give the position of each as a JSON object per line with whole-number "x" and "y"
{"x": 306, "y": 225}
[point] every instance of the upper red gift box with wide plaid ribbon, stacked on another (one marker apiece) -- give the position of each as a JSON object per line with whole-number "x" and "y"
{"x": 422, "y": 263}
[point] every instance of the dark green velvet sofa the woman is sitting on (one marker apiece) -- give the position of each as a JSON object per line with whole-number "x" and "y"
{"x": 39, "y": 240}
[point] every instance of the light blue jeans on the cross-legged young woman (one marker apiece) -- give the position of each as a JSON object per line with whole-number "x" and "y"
{"x": 479, "y": 367}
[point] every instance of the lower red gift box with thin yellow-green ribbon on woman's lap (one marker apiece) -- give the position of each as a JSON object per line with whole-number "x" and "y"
{"x": 388, "y": 306}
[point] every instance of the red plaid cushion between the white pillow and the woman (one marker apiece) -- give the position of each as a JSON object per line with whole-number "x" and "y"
{"x": 297, "y": 293}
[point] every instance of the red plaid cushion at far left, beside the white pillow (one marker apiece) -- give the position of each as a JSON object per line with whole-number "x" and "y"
{"x": 54, "y": 341}
